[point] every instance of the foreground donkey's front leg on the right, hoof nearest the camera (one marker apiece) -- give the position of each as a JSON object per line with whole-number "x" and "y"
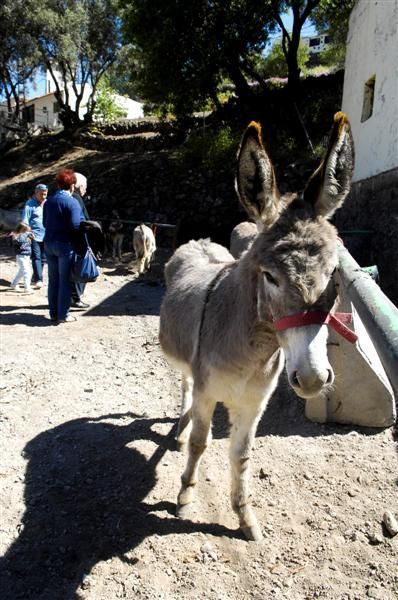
{"x": 244, "y": 424}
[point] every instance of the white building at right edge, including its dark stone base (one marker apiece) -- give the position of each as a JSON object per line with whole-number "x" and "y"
{"x": 370, "y": 99}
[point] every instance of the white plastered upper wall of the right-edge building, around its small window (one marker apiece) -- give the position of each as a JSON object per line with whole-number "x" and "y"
{"x": 372, "y": 47}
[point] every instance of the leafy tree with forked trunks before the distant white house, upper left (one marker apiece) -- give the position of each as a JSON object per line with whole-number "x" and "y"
{"x": 78, "y": 41}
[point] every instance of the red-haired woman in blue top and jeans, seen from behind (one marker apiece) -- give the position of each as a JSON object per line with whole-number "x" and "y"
{"x": 62, "y": 216}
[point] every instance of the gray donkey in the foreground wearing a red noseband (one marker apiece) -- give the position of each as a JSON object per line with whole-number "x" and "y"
{"x": 229, "y": 326}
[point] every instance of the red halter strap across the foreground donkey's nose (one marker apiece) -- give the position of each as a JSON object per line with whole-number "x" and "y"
{"x": 334, "y": 320}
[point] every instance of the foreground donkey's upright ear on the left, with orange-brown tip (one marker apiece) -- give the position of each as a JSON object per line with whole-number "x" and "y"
{"x": 255, "y": 179}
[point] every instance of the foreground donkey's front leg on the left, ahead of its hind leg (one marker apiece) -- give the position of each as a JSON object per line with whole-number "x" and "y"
{"x": 202, "y": 412}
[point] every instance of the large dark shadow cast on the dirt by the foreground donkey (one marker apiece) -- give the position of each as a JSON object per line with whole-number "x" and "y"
{"x": 84, "y": 496}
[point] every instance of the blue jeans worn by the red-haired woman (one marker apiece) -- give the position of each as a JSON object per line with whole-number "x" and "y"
{"x": 59, "y": 261}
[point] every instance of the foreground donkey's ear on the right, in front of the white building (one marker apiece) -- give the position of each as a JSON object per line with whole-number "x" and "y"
{"x": 331, "y": 182}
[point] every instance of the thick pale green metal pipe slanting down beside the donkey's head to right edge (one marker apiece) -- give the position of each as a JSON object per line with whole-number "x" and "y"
{"x": 378, "y": 314}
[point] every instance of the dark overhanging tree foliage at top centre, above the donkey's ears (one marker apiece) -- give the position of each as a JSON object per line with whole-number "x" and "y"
{"x": 183, "y": 51}
